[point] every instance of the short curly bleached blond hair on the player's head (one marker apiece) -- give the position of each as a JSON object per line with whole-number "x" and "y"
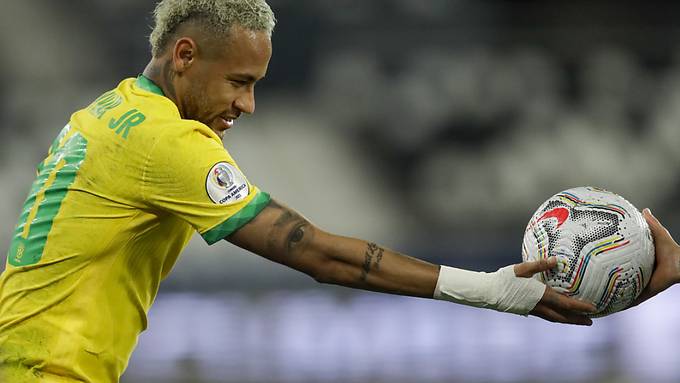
{"x": 216, "y": 17}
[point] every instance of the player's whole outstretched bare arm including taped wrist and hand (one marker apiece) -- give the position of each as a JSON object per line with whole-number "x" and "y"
{"x": 284, "y": 236}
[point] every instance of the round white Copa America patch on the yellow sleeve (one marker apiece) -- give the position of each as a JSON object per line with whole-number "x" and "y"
{"x": 226, "y": 184}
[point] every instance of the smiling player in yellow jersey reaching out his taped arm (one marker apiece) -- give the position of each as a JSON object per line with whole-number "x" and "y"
{"x": 134, "y": 174}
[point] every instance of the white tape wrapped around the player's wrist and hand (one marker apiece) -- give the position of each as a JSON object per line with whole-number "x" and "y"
{"x": 500, "y": 290}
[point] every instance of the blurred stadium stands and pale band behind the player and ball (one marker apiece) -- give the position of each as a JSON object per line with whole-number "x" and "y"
{"x": 434, "y": 127}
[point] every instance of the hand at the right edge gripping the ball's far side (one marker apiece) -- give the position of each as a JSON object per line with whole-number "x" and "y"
{"x": 667, "y": 252}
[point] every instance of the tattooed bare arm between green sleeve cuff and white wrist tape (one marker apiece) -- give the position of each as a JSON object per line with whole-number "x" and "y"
{"x": 282, "y": 235}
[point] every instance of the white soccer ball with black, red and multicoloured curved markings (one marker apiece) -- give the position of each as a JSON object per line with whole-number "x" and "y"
{"x": 604, "y": 249}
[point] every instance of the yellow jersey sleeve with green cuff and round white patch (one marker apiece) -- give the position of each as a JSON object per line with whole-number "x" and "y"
{"x": 191, "y": 175}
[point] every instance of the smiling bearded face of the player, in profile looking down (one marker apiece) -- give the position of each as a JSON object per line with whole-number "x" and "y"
{"x": 219, "y": 85}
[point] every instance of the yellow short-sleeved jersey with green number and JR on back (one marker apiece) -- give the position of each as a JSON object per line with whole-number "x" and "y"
{"x": 122, "y": 189}
